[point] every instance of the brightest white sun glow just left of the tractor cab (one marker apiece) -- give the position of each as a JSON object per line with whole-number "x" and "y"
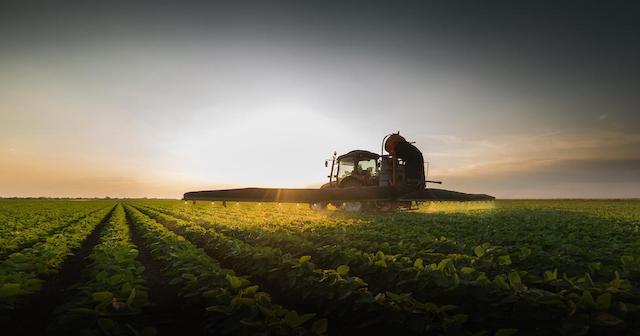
{"x": 277, "y": 146}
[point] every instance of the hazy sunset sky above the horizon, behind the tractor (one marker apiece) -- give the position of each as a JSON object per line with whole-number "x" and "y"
{"x": 513, "y": 99}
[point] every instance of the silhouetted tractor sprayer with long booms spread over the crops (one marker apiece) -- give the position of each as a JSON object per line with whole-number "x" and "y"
{"x": 358, "y": 180}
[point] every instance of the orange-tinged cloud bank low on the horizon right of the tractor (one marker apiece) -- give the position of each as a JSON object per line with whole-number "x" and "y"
{"x": 568, "y": 163}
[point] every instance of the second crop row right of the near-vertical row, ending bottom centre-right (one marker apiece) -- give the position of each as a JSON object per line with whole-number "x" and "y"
{"x": 333, "y": 292}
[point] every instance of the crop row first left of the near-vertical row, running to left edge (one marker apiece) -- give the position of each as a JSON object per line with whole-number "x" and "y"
{"x": 22, "y": 273}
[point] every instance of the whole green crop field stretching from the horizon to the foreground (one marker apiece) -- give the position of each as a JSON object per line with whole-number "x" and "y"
{"x": 147, "y": 267}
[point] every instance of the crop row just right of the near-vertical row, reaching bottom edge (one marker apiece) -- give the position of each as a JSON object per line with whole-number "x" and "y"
{"x": 233, "y": 303}
